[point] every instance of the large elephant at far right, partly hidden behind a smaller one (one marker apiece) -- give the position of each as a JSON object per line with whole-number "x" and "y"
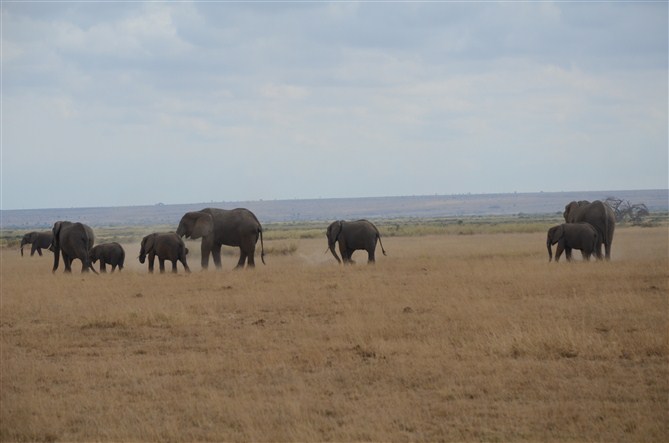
{"x": 598, "y": 214}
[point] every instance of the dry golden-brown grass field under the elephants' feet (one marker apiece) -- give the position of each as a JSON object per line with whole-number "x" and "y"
{"x": 448, "y": 338}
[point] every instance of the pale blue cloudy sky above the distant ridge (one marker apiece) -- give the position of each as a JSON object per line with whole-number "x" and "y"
{"x": 131, "y": 103}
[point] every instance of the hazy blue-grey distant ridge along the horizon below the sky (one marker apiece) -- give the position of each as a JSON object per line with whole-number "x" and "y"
{"x": 278, "y": 211}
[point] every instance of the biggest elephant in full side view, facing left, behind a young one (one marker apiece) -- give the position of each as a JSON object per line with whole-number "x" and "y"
{"x": 236, "y": 227}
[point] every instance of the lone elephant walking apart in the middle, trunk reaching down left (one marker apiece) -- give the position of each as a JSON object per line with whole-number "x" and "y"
{"x": 352, "y": 236}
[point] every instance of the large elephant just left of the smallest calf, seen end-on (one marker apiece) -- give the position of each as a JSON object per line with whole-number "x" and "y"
{"x": 73, "y": 240}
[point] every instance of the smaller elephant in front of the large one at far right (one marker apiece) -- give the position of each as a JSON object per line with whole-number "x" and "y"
{"x": 570, "y": 236}
